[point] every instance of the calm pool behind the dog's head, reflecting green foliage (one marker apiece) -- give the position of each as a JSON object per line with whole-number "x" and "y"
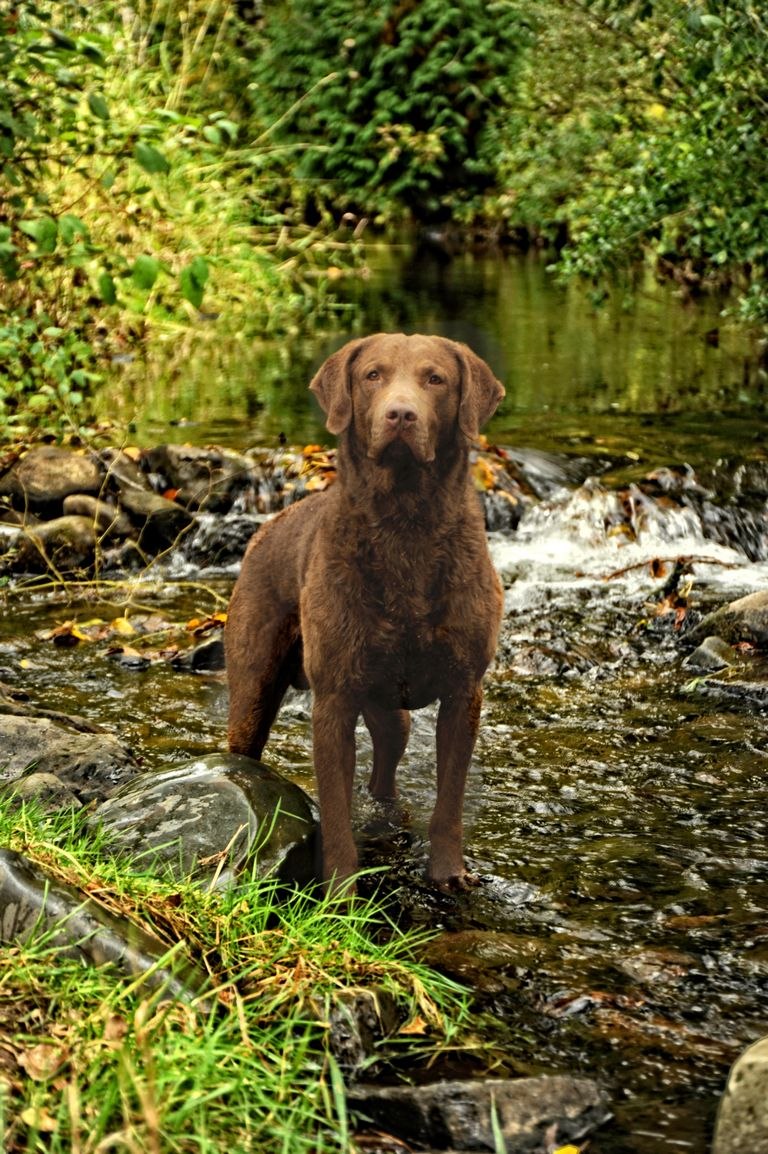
{"x": 645, "y": 372}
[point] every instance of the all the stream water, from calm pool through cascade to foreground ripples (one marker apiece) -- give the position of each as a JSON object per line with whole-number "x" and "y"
{"x": 618, "y": 804}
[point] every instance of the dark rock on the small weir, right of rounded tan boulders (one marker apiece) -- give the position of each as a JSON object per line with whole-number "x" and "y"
{"x": 206, "y": 478}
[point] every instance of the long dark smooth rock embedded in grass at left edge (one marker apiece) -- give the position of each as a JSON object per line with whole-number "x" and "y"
{"x": 34, "y": 905}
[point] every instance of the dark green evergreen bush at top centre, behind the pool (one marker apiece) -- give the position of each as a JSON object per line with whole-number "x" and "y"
{"x": 394, "y": 107}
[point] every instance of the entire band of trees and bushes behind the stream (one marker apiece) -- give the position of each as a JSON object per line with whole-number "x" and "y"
{"x": 164, "y": 162}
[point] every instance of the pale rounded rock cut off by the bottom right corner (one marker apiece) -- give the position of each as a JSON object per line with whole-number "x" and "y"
{"x": 742, "y": 1126}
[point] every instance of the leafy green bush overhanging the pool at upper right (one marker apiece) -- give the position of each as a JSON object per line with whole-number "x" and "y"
{"x": 644, "y": 131}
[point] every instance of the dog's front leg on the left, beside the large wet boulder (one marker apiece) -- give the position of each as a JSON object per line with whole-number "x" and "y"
{"x": 335, "y": 717}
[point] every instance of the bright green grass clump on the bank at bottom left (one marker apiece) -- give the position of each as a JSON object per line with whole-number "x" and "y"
{"x": 92, "y": 1061}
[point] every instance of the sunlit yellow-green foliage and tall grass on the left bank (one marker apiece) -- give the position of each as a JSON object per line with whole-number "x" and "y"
{"x": 126, "y": 201}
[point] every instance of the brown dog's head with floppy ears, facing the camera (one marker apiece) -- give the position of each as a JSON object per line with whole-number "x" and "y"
{"x": 404, "y": 395}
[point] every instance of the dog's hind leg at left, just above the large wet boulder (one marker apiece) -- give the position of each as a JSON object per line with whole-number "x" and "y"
{"x": 263, "y": 660}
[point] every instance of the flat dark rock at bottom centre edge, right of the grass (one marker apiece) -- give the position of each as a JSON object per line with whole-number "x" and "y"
{"x": 536, "y": 1115}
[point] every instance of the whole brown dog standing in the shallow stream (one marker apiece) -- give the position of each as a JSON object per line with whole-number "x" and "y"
{"x": 380, "y": 593}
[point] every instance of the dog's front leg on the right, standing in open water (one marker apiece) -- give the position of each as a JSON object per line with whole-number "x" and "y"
{"x": 457, "y": 730}
